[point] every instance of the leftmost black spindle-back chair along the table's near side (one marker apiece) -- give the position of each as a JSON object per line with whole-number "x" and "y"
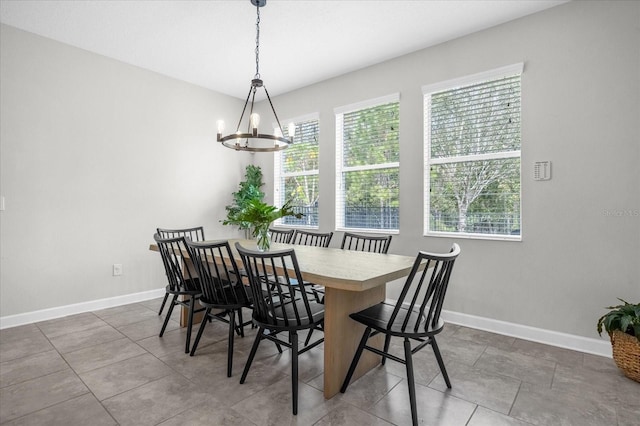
{"x": 184, "y": 283}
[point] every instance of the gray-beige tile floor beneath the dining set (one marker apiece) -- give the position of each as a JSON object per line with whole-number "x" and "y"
{"x": 110, "y": 367}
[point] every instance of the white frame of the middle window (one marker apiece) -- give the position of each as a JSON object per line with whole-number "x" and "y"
{"x": 340, "y": 168}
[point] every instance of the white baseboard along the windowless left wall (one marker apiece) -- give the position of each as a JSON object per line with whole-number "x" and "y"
{"x": 77, "y": 308}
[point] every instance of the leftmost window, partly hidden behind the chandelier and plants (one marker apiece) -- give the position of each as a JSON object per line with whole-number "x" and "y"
{"x": 296, "y": 173}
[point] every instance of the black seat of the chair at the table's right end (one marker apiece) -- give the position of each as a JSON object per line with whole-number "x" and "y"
{"x": 378, "y": 316}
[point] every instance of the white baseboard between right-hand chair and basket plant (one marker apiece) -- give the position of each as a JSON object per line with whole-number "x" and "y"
{"x": 547, "y": 337}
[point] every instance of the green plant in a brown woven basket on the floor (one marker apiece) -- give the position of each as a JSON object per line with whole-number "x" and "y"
{"x": 622, "y": 323}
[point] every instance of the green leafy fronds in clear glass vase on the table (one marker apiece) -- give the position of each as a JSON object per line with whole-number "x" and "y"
{"x": 258, "y": 216}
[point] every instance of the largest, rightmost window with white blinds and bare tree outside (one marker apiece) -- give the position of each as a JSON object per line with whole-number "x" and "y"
{"x": 472, "y": 156}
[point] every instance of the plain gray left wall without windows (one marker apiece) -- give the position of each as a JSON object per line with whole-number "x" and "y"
{"x": 95, "y": 155}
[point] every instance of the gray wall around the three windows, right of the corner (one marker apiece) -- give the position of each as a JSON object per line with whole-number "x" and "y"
{"x": 580, "y": 110}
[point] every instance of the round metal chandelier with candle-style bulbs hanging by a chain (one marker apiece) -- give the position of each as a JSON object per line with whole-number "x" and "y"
{"x": 252, "y": 140}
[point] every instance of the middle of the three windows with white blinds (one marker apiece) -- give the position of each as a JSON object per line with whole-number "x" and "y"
{"x": 367, "y": 165}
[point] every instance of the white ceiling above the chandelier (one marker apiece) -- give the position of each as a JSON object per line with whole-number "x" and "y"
{"x": 212, "y": 43}
